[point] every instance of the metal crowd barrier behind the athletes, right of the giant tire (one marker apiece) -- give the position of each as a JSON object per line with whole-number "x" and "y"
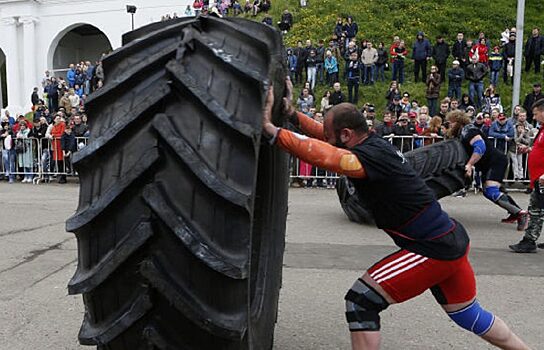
{"x": 305, "y": 174}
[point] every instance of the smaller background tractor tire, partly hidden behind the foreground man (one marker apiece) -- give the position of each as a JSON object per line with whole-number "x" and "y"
{"x": 441, "y": 165}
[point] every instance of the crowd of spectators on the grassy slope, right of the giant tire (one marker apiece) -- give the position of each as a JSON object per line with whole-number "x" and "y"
{"x": 475, "y": 64}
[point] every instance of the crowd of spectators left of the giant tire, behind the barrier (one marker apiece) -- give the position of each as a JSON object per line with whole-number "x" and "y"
{"x": 56, "y": 127}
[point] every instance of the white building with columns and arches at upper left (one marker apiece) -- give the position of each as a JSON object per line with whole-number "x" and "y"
{"x": 40, "y": 35}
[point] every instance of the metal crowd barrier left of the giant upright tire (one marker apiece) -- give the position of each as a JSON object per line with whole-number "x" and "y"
{"x": 39, "y": 160}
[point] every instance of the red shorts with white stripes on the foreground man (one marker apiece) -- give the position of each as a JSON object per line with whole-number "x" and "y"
{"x": 404, "y": 275}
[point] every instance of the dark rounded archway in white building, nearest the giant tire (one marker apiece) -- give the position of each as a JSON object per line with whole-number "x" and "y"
{"x": 79, "y": 42}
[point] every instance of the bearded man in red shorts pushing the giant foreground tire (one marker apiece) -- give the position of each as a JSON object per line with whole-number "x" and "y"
{"x": 434, "y": 248}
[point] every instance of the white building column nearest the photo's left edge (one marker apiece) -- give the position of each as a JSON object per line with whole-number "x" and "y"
{"x": 13, "y": 77}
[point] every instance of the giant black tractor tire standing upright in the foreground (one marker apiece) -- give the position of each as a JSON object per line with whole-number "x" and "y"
{"x": 182, "y": 208}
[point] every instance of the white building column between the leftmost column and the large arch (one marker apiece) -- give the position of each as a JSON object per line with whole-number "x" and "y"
{"x": 29, "y": 58}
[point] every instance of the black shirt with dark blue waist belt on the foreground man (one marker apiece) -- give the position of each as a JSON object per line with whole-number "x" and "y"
{"x": 403, "y": 205}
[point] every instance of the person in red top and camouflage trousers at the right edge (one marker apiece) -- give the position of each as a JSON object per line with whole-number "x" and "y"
{"x": 536, "y": 203}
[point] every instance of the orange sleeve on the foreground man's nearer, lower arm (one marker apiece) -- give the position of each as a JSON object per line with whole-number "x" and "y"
{"x": 321, "y": 154}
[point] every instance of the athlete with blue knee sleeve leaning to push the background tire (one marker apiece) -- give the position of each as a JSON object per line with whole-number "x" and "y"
{"x": 490, "y": 162}
